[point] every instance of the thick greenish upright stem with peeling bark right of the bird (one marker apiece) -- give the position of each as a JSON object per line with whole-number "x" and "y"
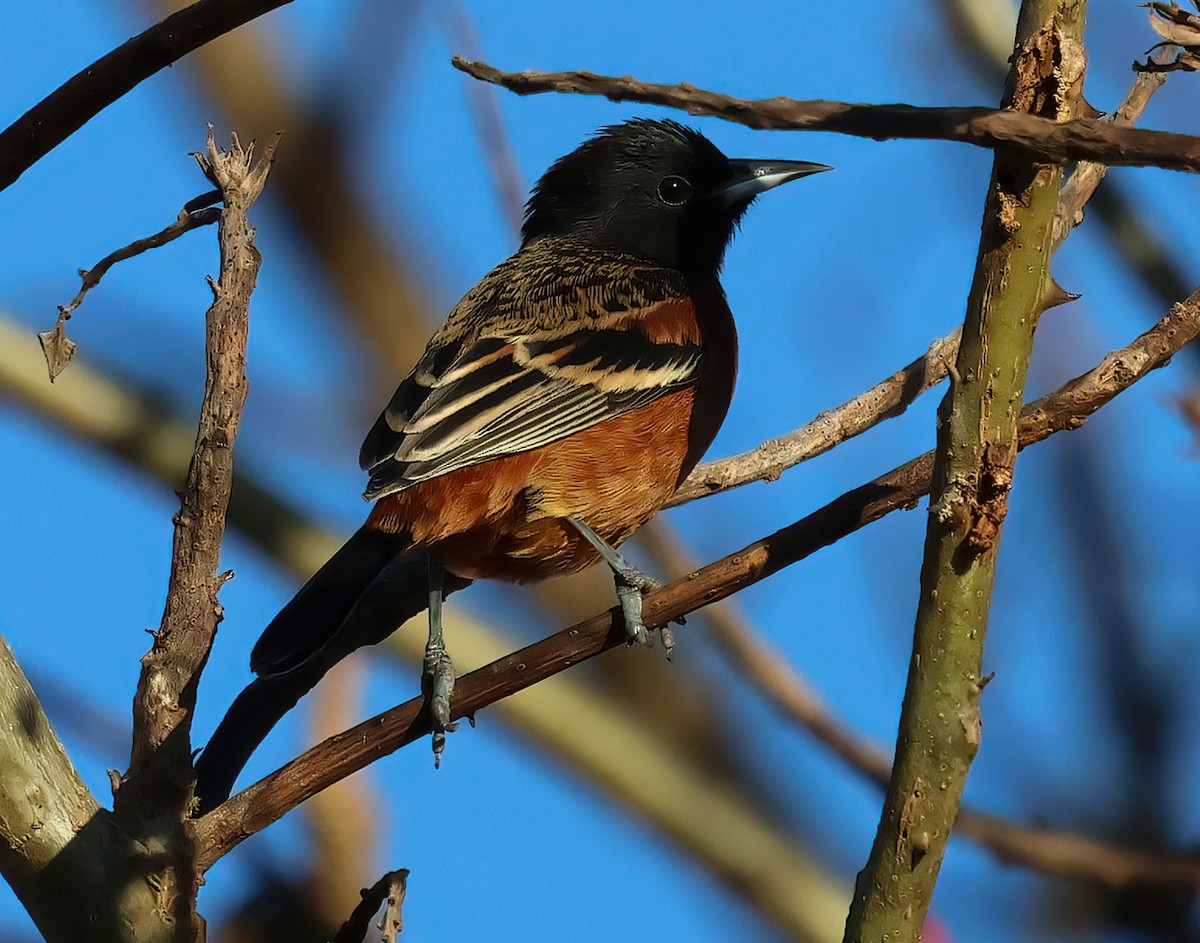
{"x": 940, "y": 723}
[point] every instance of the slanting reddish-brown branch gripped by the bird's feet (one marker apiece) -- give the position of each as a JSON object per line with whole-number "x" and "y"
{"x": 257, "y": 807}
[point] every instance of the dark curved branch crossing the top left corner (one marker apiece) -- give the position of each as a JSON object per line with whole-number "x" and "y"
{"x": 88, "y": 93}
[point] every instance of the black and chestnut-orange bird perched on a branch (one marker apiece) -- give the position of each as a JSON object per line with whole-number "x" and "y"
{"x": 559, "y": 407}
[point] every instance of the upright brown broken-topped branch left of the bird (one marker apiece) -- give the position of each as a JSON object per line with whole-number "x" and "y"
{"x": 158, "y": 786}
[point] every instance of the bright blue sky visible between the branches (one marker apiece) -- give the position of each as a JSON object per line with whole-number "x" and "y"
{"x": 837, "y": 283}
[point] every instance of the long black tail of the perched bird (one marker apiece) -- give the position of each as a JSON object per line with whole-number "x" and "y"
{"x": 359, "y": 598}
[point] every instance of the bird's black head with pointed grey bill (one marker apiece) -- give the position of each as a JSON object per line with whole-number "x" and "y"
{"x": 656, "y": 190}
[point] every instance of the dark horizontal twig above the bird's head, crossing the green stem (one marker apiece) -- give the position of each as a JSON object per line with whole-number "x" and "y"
{"x": 1041, "y": 139}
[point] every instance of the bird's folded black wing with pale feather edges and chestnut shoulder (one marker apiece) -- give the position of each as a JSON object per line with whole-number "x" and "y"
{"x": 501, "y": 395}
